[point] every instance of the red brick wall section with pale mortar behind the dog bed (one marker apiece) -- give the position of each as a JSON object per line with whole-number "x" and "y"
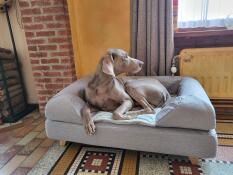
{"x": 47, "y": 31}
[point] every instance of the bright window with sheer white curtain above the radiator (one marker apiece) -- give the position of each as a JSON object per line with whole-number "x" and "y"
{"x": 205, "y": 13}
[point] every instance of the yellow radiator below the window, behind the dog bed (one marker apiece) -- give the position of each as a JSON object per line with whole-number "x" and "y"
{"x": 212, "y": 67}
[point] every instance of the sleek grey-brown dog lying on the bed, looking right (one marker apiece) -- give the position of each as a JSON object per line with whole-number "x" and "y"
{"x": 105, "y": 91}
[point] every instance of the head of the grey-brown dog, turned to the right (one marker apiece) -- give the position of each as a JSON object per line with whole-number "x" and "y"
{"x": 117, "y": 61}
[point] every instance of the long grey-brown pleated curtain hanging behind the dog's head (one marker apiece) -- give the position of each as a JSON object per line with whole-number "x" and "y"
{"x": 152, "y": 38}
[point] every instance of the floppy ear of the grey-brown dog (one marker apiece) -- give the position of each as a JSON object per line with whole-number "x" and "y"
{"x": 107, "y": 66}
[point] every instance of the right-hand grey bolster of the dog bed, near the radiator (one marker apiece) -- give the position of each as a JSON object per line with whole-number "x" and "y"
{"x": 190, "y": 109}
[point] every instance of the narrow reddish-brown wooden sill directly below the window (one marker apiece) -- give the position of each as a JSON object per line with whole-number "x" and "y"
{"x": 205, "y": 33}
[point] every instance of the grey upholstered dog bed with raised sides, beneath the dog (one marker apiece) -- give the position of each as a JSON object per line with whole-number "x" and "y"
{"x": 184, "y": 126}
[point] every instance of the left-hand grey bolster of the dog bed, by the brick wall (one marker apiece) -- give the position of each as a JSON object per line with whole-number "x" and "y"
{"x": 67, "y": 104}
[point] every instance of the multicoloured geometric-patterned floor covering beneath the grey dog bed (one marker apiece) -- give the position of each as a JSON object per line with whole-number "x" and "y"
{"x": 91, "y": 160}
